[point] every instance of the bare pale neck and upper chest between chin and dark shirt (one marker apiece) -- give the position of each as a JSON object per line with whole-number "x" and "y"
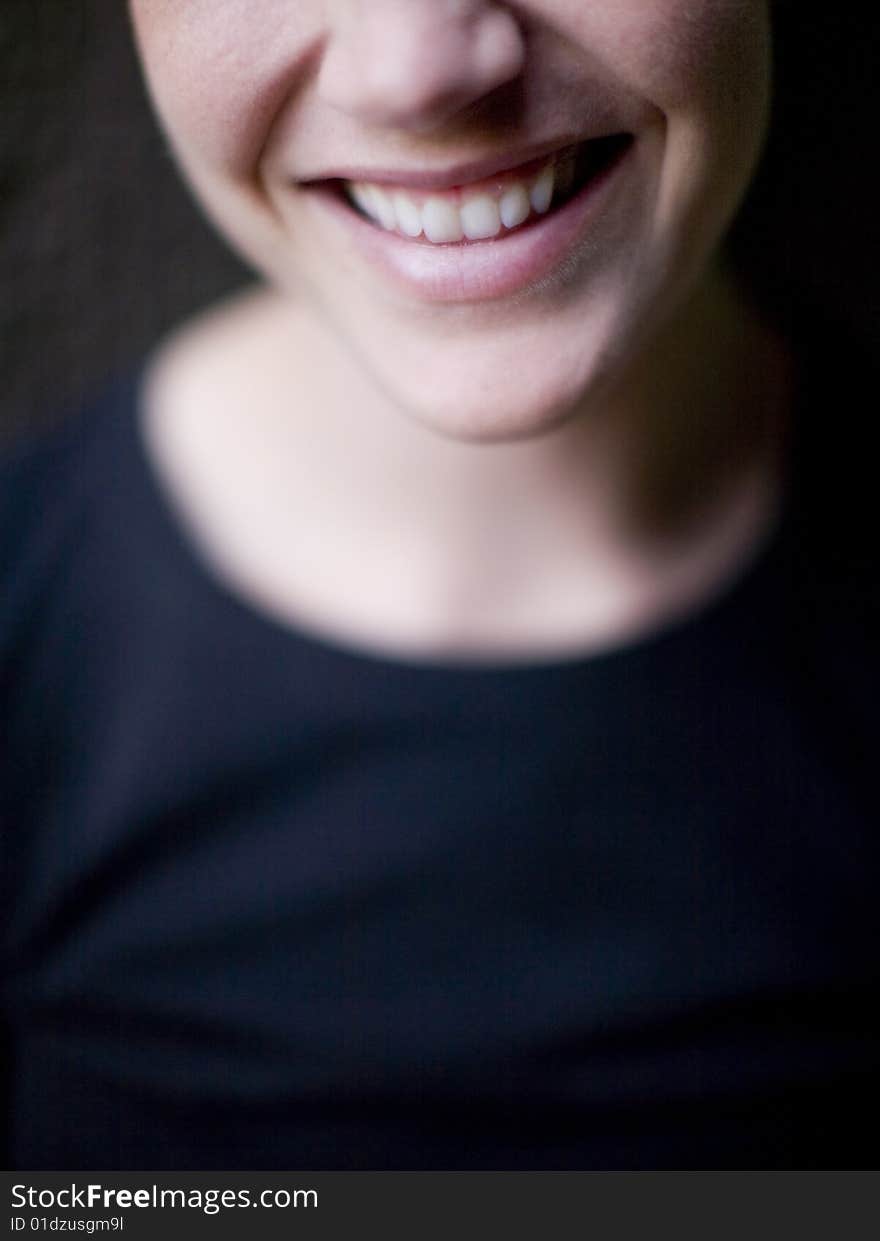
{"x": 632, "y": 508}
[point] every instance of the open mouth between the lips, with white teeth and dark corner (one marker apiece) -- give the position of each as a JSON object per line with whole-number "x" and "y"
{"x": 485, "y": 210}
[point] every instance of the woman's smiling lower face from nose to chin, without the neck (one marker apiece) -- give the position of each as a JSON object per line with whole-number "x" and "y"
{"x": 493, "y": 207}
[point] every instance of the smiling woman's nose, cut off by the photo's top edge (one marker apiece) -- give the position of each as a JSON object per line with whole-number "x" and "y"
{"x": 416, "y": 64}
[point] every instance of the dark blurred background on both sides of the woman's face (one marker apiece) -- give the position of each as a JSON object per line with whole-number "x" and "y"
{"x": 101, "y": 249}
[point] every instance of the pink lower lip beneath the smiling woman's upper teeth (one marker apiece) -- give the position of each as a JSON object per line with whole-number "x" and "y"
{"x": 480, "y": 271}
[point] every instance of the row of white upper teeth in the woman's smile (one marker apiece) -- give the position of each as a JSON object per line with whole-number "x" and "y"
{"x": 441, "y": 220}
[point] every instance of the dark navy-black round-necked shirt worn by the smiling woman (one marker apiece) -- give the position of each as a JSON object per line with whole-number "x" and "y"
{"x": 272, "y": 903}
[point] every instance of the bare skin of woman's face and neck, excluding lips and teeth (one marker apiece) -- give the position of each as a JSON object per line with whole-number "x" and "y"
{"x": 631, "y": 399}
